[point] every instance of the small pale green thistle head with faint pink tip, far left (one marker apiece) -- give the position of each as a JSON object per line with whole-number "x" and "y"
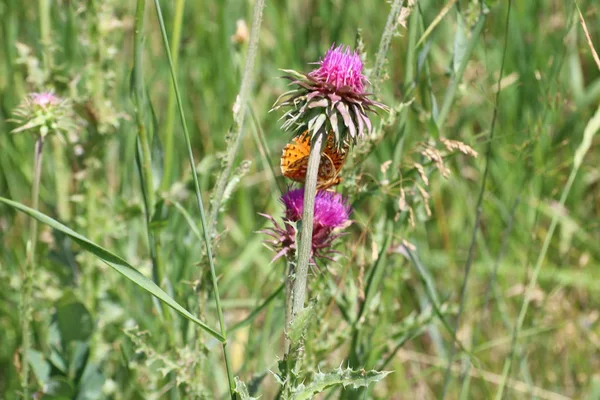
{"x": 45, "y": 112}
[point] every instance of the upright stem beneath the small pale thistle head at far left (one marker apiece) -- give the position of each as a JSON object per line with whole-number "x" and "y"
{"x": 29, "y": 270}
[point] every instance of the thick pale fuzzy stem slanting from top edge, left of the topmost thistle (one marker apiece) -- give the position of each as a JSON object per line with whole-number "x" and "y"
{"x": 239, "y": 114}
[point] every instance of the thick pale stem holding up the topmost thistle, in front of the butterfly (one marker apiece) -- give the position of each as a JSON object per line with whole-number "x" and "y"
{"x": 305, "y": 245}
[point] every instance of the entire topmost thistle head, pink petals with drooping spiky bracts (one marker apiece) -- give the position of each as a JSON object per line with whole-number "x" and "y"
{"x": 330, "y": 98}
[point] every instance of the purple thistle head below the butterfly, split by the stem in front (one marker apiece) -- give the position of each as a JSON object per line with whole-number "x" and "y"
{"x": 331, "y": 213}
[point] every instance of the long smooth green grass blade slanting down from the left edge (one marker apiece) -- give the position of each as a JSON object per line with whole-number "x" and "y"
{"x": 115, "y": 262}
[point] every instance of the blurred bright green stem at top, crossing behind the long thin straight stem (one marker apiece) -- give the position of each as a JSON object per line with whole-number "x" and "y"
{"x": 176, "y": 35}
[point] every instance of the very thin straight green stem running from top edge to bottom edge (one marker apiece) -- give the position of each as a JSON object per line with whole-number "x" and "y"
{"x": 206, "y": 232}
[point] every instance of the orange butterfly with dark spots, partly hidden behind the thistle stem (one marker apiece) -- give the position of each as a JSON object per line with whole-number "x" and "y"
{"x": 294, "y": 161}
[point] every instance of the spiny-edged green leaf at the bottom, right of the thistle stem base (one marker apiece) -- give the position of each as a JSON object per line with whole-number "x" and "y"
{"x": 344, "y": 377}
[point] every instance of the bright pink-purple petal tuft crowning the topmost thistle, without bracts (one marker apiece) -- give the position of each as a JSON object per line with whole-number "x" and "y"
{"x": 341, "y": 67}
